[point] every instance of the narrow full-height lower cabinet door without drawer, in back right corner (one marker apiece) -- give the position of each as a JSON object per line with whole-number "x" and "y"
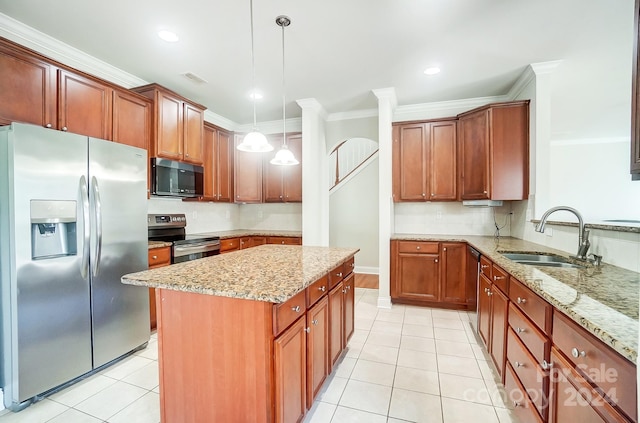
{"x": 453, "y": 277}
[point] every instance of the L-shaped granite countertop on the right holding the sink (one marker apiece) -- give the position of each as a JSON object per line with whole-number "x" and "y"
{"x": 603, "y": 300}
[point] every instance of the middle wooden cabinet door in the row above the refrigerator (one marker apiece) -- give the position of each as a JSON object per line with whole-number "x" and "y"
{"x": 84, "y": 105}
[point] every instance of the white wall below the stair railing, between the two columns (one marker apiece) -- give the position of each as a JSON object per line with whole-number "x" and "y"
{"x": 353, "y": 220}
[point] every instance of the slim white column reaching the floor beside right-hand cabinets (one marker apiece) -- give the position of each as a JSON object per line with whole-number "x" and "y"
{"x": 386, "y": 104}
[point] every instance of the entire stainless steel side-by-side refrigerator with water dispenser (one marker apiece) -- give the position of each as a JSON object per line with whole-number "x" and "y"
{"x": 73, "y": 213}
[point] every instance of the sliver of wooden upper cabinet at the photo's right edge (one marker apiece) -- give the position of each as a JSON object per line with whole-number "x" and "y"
{"x": 635, "y": 98}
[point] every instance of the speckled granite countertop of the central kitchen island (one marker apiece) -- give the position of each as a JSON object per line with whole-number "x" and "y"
{"x": 271, "y": 273}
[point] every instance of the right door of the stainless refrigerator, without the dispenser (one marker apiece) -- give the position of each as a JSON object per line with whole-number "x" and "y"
{"x": 118, "y": 192}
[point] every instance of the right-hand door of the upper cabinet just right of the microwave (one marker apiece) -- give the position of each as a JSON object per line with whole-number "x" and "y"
{"x": 223, "y": 153}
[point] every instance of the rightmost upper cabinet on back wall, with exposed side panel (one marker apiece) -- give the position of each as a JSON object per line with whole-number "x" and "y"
{"x": 494, "y": 152}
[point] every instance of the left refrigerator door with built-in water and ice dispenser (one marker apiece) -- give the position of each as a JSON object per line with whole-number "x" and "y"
{"x": 45, "y": 300}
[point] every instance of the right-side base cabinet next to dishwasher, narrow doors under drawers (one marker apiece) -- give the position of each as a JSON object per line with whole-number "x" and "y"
{"x": 493, "y": 305}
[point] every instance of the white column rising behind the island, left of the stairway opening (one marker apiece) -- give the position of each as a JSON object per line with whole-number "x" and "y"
{"x": 315, "y": 192}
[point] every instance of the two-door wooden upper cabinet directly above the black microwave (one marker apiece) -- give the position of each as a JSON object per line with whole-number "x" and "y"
{"x": 178, "y": 126}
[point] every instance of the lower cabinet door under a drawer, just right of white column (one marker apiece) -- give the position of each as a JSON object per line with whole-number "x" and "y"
{"x": 418, "y": 276}
